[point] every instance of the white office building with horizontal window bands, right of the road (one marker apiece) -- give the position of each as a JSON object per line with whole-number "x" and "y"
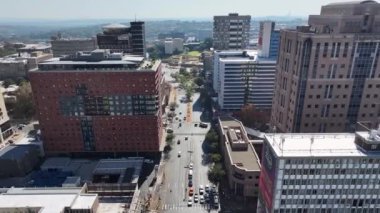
{"x": 242, "y": 77}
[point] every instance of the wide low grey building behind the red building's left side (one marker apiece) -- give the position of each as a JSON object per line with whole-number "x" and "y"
{"x": 61, "y": 46}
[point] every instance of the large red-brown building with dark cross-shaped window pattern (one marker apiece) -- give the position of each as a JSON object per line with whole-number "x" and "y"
{"x": 98, "y": 102}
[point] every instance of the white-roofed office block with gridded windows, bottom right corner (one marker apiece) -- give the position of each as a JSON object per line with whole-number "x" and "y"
{"x": 320, "y": 172}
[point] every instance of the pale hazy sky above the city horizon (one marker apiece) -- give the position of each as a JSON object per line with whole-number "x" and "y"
{"x": 144, "y": 9}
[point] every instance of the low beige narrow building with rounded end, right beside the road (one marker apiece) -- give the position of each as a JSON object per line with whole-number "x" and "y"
{"x": 240, "y": 158}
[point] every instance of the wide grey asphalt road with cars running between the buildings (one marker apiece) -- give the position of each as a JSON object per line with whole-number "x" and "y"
{"x": 174, "y": 193}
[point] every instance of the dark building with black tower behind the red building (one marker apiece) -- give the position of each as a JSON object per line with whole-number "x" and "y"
{"x": 120, "y": 38}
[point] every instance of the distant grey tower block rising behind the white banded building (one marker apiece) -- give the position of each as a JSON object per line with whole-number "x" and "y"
{"x": 231, "y": 32}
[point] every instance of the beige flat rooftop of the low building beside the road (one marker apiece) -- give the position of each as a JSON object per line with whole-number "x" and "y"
{"x": 244, "y": 156}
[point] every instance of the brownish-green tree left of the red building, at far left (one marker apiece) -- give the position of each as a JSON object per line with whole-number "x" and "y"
{"x": 24, "y": 107}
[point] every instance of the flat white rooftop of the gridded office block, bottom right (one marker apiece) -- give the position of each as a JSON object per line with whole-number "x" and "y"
{"x": 317, "y": 144}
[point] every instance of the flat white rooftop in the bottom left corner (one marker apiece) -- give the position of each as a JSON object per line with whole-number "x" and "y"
{"x": 47, "y": 200}
